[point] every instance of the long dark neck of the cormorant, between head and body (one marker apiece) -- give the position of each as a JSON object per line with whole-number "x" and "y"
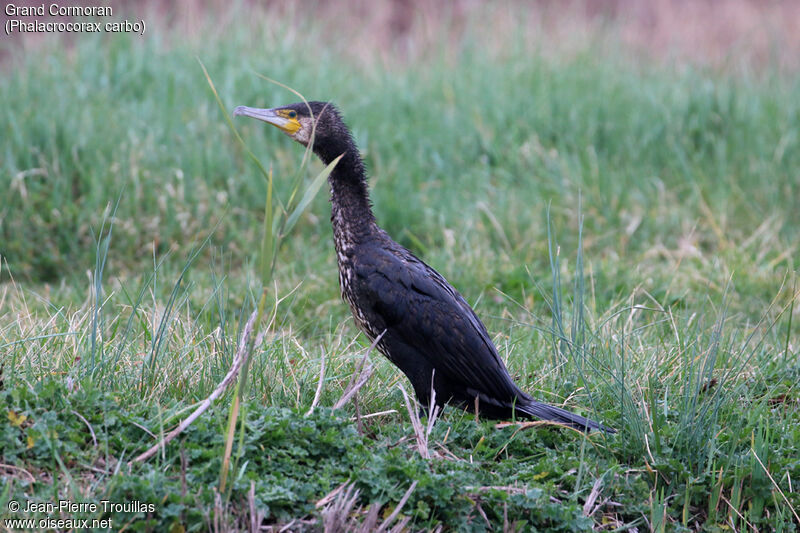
{"x": 351, "y": 213}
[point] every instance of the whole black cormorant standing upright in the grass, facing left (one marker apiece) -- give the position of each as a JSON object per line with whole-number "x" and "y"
{"x": 431, "y": 333}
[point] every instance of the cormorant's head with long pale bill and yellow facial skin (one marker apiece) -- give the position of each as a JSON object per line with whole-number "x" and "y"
{"x": 302, "y": 121}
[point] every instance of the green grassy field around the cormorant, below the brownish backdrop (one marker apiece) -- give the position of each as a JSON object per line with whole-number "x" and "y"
{"x": 627, "y": 230}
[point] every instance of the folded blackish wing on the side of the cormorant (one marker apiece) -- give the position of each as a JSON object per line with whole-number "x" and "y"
{"x": 420, "y": 307}
